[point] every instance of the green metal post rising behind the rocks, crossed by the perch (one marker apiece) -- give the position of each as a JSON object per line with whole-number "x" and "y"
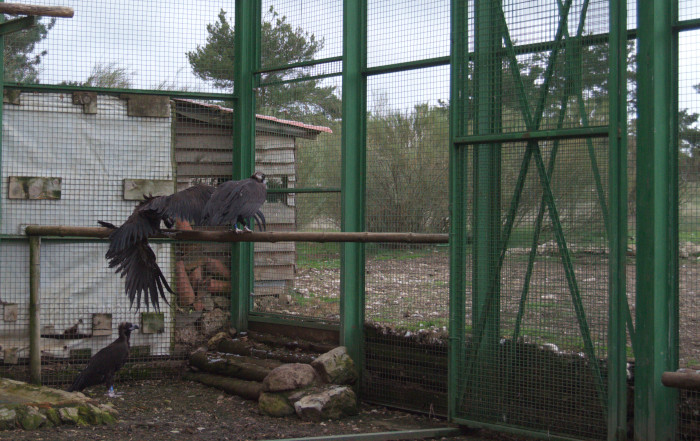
{"x": 352, "y": 267}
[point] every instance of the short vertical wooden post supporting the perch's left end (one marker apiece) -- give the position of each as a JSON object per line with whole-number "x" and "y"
{"x": 34, "y": 310}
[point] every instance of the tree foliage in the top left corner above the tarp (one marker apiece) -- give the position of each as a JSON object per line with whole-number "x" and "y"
{"x": 21, "y": 63}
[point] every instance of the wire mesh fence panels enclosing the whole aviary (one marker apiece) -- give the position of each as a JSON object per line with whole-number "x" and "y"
{"x": 111, "y": 105}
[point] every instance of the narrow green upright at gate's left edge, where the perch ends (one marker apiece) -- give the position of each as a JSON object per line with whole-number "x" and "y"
{"x": 458, "y": 201}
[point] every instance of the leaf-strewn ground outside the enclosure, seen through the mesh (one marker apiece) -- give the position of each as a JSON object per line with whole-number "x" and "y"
{"x": 411, "y": 292}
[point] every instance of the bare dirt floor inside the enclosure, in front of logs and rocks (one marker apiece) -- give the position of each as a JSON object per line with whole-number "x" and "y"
{"x": 183, "y": 410}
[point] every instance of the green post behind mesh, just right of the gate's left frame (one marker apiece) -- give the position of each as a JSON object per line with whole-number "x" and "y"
{"x": 487, "y": 187}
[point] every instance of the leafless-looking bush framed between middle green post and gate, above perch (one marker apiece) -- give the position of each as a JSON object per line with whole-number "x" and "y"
{"x": 407, "y": 175}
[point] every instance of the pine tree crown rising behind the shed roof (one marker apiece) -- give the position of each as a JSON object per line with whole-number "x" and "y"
{"x": 281, "y": 44}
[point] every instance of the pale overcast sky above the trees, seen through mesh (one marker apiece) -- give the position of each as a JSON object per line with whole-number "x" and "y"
{"x": 150, "y": 40}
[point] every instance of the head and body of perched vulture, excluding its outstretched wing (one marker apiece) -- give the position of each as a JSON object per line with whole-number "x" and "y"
{"x": 235, "y": 201}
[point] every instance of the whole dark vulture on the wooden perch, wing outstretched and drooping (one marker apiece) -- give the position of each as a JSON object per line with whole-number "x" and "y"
{"x": 129, "y": 252}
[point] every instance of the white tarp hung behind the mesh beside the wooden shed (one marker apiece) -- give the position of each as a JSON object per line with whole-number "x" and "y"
{"x": 48, "y": 136}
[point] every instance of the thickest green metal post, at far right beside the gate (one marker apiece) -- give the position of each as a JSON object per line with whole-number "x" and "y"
{"x": 655, "y": 414}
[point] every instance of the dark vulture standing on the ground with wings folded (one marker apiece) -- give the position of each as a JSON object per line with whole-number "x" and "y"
{"x": 103, "y": 365}
